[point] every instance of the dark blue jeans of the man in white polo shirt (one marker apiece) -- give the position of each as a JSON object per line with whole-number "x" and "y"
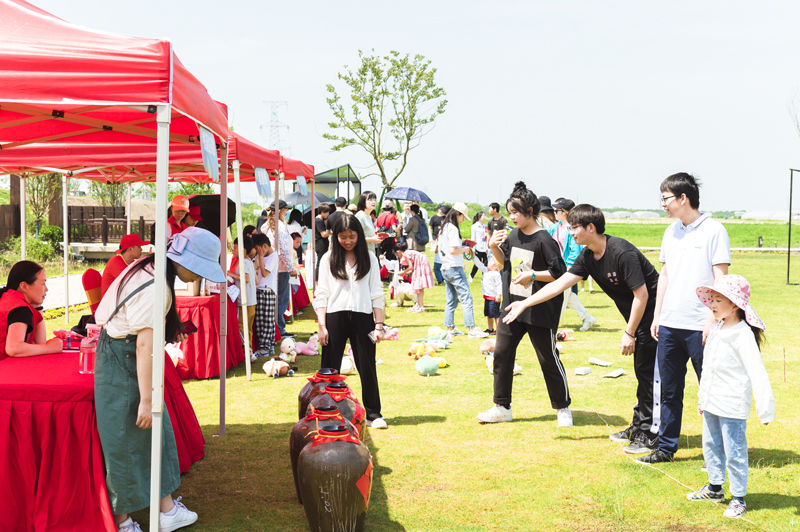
{"x": 675, "y": 348}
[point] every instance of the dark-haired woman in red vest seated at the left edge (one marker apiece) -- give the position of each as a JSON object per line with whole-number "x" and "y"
{"x": 22, "y": 329}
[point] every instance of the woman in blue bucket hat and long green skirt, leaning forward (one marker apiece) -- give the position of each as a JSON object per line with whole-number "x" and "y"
{"x": 123, "y": 373}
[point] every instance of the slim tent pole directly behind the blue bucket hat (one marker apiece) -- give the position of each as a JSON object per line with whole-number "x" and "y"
{"x": 223, "y": 294}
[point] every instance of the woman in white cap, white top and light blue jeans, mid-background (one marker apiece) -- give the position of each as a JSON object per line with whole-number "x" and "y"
{"x": 455, "y": 280}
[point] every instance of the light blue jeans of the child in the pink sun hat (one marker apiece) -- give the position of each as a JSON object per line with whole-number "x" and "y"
{"x": 725, "y": 446}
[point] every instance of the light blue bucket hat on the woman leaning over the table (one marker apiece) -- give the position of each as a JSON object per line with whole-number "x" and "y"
{"x": 197, "y": 250}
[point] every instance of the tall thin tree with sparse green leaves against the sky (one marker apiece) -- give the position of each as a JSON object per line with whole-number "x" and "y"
{"x": 393, "y": 102}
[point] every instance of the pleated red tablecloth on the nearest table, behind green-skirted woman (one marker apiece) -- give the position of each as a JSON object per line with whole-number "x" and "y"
{"x": 51, "y": 463}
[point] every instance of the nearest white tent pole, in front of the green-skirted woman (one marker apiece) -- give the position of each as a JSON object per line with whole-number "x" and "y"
{"x": 163, "y": 116}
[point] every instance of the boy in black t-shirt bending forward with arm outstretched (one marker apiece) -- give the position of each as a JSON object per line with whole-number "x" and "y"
{"x": 630, "y": 280}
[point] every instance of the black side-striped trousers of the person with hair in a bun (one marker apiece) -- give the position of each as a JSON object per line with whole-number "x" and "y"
{"x": 544, "y": 343}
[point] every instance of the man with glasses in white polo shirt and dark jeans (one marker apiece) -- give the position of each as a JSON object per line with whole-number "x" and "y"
{"x": 695, "y": 250}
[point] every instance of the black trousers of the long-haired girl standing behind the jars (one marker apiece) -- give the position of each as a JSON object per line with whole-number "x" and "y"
{"x": 354, "y": 326}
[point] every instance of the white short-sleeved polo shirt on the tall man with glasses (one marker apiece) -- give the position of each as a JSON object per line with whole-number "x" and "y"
{"x": 690, "y": 252}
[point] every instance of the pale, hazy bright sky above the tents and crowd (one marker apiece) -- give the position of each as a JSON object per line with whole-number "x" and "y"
{"x": 593, "y": 101}
